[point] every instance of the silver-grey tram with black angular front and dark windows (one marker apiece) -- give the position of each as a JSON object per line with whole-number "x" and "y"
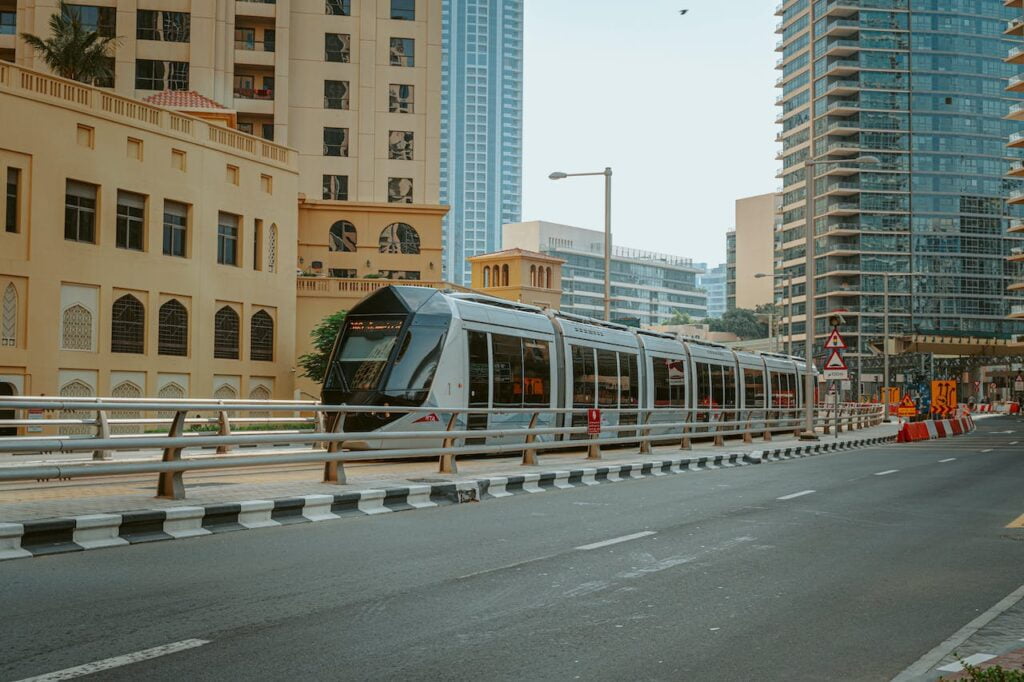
{"x": 413, "y": 347}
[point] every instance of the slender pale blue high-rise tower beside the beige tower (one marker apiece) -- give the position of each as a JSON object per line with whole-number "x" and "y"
{"x": 482, "y": 127}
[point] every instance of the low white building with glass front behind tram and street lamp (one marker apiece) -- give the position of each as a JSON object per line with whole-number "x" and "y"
{"x": 648, "y": 288}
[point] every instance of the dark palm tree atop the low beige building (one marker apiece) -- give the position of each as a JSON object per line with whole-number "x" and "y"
{"x": 75, "y": 52}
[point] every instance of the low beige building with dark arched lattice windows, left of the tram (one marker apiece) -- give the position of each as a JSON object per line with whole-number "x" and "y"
{"x": 144, "y": 252}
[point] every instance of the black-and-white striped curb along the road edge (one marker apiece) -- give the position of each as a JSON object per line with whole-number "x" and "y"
{"x": 76, "y": 534}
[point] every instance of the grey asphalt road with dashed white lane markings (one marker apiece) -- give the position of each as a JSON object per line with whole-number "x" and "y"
{"x": 737, "y": 578}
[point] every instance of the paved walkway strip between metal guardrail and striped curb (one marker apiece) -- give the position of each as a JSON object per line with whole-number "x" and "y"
{"x": 25, "y": 501}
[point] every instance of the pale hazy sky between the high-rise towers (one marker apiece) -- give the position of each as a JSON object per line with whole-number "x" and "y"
{"x": 682, "y": 109}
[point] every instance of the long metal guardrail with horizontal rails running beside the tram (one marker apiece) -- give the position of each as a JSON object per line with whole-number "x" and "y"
{"x": 332, "y": 448}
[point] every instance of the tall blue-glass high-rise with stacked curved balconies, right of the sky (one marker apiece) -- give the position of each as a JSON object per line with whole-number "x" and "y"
{"x": 908, "y": 132}
